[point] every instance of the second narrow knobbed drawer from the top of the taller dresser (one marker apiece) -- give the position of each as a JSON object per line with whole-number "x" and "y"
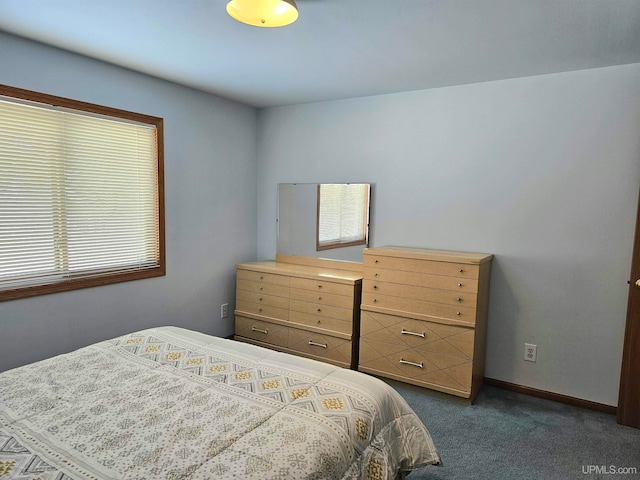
{"x": 441, "y": 282}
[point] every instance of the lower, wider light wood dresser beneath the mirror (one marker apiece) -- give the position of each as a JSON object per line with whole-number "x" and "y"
{"x": 301, "y": 305}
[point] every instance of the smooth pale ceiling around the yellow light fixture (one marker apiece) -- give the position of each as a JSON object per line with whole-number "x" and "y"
{"x": 337, "y": 48}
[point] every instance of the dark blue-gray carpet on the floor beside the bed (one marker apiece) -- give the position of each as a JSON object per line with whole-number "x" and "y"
{"x": 511, "y": 436}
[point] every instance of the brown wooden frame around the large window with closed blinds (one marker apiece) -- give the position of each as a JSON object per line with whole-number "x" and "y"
{"x": 109, "y": 277}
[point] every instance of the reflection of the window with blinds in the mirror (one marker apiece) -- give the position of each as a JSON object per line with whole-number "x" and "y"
{"x": 343, "y": 215}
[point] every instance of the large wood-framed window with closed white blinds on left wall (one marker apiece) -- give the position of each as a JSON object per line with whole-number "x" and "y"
{"x": 81, "y": 195}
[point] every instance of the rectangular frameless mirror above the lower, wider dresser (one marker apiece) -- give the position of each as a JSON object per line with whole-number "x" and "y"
{"x": 323, "y": 220}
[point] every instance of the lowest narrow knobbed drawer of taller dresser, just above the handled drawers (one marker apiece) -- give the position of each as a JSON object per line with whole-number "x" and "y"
{"x": 458, "y": 313}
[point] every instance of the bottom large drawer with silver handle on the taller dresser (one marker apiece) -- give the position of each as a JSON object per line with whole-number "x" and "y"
{"x": 441, "y": 372}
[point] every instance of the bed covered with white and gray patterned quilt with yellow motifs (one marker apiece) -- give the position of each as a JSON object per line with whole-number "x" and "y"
{"x": 169, "y": 403}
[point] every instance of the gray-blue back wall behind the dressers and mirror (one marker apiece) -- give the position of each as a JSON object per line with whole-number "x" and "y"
{"x": 541, "y": 171}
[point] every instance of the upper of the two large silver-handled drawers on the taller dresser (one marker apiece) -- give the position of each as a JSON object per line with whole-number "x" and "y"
{"x": 419, "y": 335}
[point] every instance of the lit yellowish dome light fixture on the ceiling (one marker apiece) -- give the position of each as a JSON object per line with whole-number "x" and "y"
{"x": 263, "y": 13}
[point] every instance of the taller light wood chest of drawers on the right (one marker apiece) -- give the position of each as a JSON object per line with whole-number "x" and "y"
{"x": 423, "y": 317}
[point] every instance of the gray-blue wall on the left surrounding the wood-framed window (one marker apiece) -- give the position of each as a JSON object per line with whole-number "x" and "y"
{"x": 210, "y": 196}
